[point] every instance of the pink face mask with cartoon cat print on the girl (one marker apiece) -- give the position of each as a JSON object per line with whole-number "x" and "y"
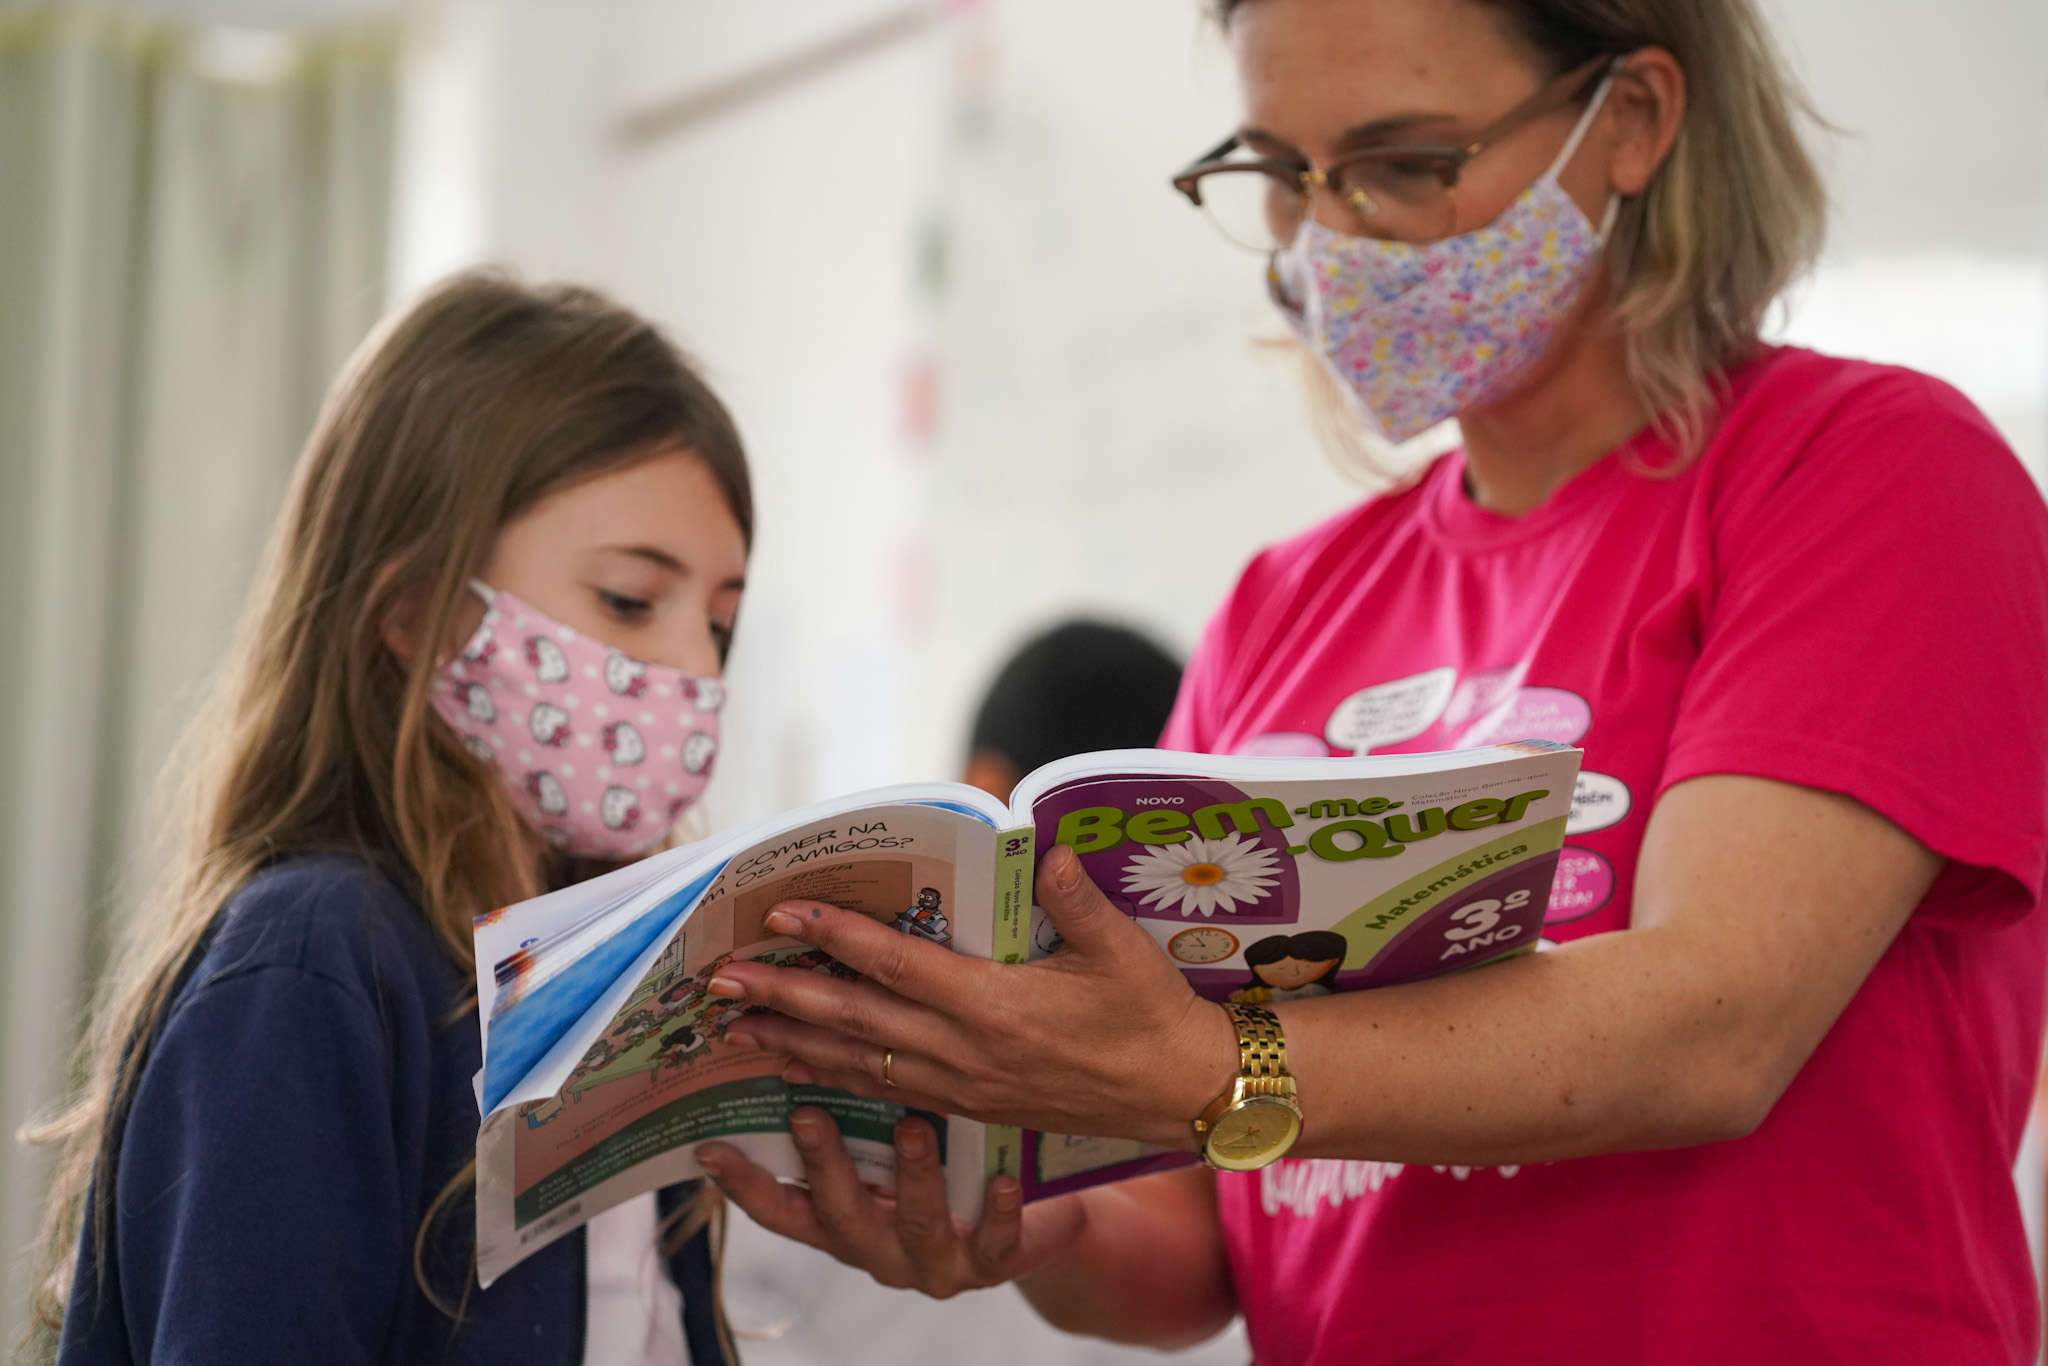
{"x": 597, "y": 751}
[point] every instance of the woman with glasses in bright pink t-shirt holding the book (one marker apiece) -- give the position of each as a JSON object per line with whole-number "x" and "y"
{"x": 1762, "y": 1099}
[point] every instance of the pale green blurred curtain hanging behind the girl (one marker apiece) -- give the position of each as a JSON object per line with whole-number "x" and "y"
{"x": 194, "y": 232}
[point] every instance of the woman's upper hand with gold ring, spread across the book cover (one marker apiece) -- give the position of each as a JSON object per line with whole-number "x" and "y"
{"x": 1103, "y": 1039}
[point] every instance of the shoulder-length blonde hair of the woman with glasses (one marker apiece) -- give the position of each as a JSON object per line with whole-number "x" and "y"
{"x": 1730, "y": 220}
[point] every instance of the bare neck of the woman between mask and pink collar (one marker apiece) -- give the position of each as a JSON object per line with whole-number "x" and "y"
{"x": 1578, "y": 407}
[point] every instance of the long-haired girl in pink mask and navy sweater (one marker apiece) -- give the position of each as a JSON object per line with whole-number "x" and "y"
{"x": 271, "y": 1160}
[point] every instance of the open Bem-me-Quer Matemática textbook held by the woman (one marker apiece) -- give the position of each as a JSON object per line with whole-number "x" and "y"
{"x": 1265, "y": 880}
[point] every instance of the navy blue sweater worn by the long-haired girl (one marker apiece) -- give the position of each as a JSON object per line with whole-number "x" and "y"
{"x": 300, "y": 1109}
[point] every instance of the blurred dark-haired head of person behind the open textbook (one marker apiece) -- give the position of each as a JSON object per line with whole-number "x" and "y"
{"x": 1074, "y": 689}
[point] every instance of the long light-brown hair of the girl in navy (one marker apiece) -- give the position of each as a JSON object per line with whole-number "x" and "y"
{"x": 452, "y": 421}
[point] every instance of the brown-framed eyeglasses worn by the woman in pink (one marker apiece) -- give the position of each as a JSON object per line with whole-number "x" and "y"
{"x": 1400, "y": 194}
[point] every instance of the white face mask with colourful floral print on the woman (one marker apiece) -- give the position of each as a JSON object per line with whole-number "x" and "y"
{"x": 1422, "y": 331}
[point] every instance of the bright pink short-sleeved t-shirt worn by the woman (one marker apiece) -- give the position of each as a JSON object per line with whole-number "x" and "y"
{"x": 1846, "y": 591}
